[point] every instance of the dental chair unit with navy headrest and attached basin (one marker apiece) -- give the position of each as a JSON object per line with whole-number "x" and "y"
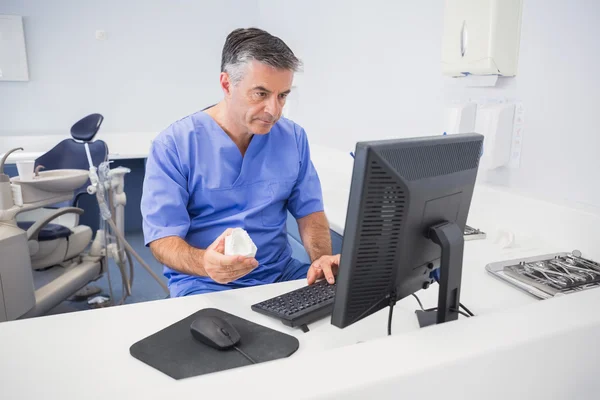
{"x": 44, "y": 259}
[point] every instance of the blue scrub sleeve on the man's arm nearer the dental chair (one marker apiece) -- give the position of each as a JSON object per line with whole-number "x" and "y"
{"x": 164, "y": 196}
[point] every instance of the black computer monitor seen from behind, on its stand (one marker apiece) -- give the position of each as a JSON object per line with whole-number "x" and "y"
{"x": 407, "y": 211}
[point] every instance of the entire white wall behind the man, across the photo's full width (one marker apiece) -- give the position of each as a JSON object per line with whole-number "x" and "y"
{"x": 372, "y": 71}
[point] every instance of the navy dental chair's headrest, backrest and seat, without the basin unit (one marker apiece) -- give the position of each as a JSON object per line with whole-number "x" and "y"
{"x": 51, "y": 244}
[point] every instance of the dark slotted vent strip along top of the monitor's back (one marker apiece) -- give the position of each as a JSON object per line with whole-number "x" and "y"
{"x": 441, "y": 159}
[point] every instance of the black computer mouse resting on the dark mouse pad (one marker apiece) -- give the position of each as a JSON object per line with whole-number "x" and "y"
{"x": 215, "y": 332}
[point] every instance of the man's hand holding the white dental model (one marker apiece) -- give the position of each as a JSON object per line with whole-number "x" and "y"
{"x": 224, "y": 269}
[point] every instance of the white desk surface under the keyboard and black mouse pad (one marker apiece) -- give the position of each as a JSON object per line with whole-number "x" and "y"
{"x": 87, "y": 353}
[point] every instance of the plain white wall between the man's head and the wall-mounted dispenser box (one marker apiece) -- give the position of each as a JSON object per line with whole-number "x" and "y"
{"x": 357, "y": 82}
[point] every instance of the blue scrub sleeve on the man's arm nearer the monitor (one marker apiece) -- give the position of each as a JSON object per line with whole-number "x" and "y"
{"x": 306, "y": 197}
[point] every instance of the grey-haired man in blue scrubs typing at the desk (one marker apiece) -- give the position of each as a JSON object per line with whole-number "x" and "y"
{"x": 237, "y": 164}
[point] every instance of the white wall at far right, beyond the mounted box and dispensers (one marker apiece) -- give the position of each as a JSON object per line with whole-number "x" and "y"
{"x": 559, "y": 86}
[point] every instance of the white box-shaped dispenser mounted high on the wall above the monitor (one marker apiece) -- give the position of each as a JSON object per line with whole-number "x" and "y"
{"x": 481, "y": 37}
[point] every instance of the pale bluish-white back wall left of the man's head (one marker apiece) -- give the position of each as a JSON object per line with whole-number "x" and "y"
{"x": 161, "y": 62}
